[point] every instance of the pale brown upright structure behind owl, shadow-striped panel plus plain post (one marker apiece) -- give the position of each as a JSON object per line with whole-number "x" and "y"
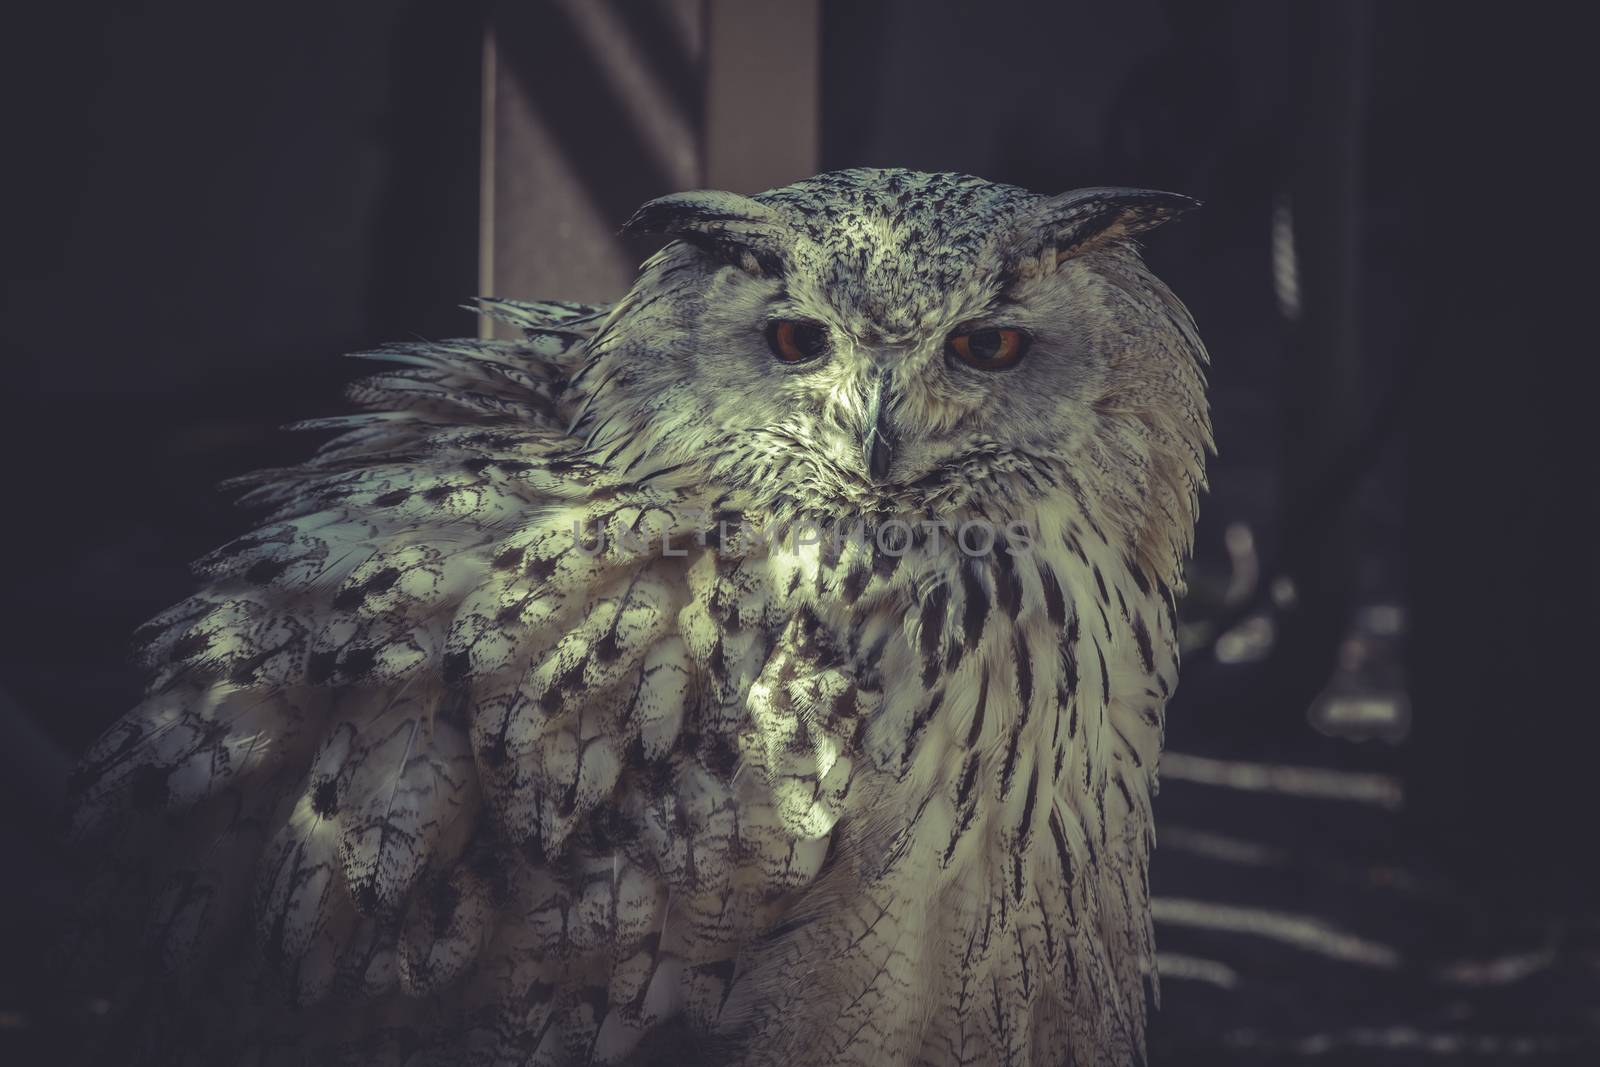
{"x": 591, "y": 110}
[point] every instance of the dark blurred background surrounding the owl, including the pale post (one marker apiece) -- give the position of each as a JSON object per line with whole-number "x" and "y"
{"x": 1377, "y": 818}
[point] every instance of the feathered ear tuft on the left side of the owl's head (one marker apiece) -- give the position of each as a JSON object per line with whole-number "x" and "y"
{"x": 737, "y": 230}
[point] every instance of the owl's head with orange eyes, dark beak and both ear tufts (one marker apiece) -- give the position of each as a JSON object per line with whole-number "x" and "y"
{"x": 889, "y": 342}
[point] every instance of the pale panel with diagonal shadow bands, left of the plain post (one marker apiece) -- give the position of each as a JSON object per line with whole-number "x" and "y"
{"x": 590, "y": 110}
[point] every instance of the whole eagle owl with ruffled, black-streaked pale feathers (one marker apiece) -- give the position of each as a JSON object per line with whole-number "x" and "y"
{"x": 764, "y": 669}
